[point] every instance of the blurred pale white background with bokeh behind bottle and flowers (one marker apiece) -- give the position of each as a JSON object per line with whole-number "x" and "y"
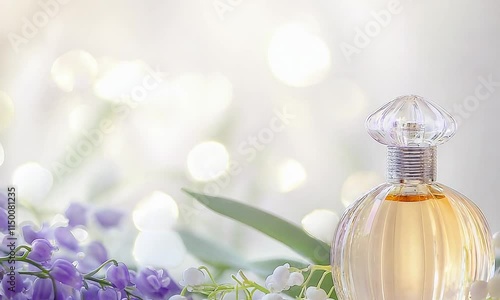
{"x": 119, "y": 104}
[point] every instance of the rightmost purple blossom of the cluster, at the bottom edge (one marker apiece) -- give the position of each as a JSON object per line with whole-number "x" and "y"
{"x": 156, "y": 284}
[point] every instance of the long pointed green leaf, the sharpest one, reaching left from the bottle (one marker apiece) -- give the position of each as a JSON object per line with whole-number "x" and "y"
{"x": 289, "y": 234}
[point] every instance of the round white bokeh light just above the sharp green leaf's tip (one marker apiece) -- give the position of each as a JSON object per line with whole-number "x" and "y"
{"x": 207, "y": 161}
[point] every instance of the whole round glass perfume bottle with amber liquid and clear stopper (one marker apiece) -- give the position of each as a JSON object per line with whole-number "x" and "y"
{"x": 411, "y": 238}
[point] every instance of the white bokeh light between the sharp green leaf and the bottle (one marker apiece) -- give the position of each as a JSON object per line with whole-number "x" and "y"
{"x": 321, "y": 223}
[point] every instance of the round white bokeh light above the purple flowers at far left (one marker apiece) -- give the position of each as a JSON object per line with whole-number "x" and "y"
{"x": 33, "y": 181}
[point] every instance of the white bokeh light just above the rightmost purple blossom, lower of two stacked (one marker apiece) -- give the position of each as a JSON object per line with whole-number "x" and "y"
{"x": 160, "y": 249}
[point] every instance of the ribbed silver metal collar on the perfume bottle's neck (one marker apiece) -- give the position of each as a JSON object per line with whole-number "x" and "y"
{"x": 411, "y": 164}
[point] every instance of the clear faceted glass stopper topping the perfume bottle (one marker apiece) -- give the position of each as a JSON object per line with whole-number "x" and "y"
{"x": 411, "y": 121}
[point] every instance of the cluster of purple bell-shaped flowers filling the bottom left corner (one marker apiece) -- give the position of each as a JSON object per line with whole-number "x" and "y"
{"x": 52, "y": 264}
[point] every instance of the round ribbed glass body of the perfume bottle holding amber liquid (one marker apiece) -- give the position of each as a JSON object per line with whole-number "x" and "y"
{"x": 411, "y": 242}
